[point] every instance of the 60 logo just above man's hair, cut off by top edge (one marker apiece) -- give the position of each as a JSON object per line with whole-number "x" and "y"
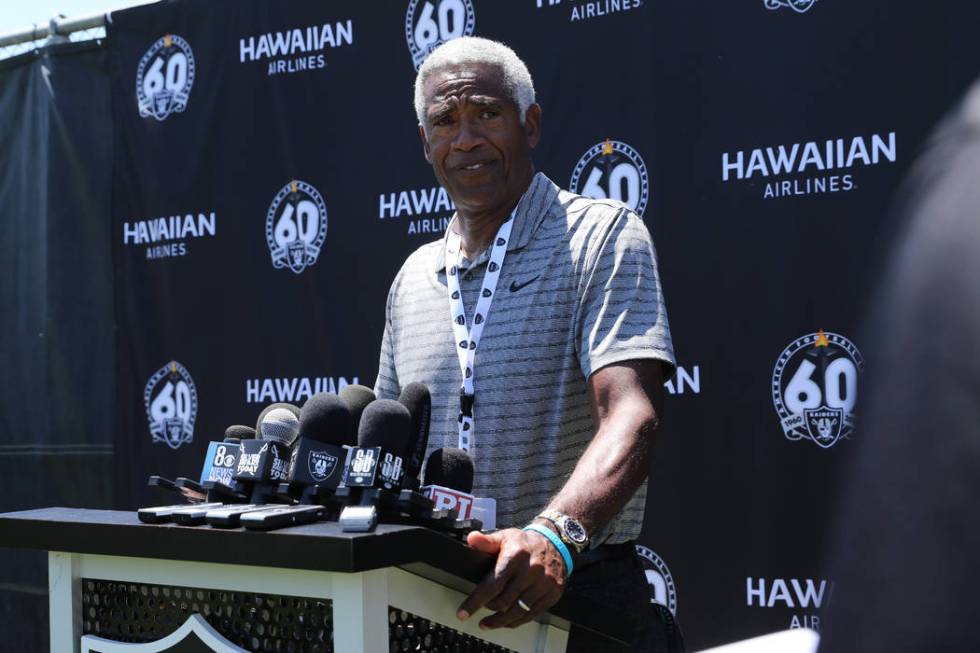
{"x": 430, "y": 23}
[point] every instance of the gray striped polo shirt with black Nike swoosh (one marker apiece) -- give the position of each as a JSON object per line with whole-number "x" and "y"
{"x": 578, "y": 291}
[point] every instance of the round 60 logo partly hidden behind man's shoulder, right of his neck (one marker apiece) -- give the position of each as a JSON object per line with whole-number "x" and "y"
{"x": 612, "y": 170}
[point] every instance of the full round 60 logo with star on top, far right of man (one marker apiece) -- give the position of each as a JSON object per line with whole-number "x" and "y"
{"x": 815, "y": 388}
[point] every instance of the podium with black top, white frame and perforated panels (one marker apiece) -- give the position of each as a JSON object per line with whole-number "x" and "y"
{"x": 311, "y": 588}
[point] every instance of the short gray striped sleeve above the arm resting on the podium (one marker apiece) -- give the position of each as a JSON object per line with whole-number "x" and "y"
{"x": 621, "y": 313}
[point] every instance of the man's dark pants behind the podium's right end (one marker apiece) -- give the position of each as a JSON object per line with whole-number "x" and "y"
{"x": 620, "y": 582}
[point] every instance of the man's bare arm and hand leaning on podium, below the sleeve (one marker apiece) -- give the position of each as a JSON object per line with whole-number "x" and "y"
{"x": 626, "y": 399}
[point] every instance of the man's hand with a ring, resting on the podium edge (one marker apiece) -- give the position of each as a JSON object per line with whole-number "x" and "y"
{"x": 528, "y": 568}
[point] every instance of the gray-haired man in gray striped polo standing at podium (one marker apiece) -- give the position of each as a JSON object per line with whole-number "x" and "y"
{"x": 537, "y": 305}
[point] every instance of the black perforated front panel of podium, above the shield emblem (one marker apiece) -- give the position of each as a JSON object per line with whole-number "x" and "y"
{"x": 139, "y": 612}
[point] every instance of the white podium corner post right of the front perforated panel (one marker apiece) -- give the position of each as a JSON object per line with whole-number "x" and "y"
{"x": 360, "y": 612}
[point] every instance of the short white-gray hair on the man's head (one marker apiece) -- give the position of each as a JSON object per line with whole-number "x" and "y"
{"x": 476, "y": 50}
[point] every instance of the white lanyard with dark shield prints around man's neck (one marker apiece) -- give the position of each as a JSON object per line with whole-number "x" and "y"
{"x": 467, "y": 339}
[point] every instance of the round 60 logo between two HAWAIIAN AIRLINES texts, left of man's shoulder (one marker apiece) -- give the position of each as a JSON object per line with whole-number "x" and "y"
{"x": 296, "y": 226}
